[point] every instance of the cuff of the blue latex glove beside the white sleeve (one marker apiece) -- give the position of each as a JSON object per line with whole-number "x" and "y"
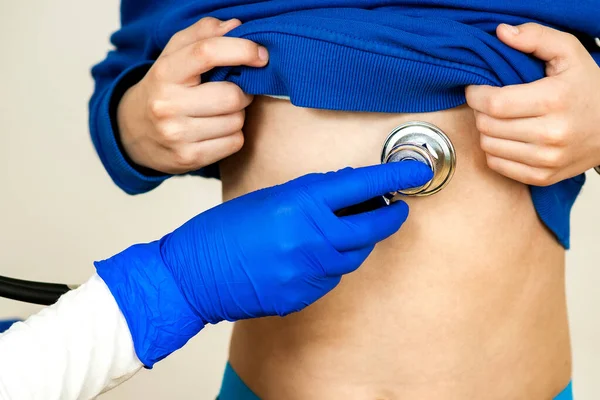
{"x": 158, "y": 315}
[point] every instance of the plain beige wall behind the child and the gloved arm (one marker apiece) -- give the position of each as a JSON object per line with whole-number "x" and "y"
{"x": 59, "y": 211}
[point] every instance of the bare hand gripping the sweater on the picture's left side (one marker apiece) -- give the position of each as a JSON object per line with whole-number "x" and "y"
{"x": 173, "y": 123}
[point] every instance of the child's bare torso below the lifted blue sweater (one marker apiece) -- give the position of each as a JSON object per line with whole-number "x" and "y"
{"x": 467, "y": 301}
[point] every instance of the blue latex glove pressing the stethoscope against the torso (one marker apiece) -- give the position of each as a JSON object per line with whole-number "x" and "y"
{"x": 270, "y": 252}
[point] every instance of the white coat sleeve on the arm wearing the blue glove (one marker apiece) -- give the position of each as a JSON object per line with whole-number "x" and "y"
{"x": 74, "y": 349}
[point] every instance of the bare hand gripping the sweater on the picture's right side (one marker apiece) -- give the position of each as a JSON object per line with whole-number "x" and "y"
{"x": 546, "y": 131}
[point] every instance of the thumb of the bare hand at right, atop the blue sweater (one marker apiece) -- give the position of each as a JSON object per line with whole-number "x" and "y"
{"x": 545, "y": 43}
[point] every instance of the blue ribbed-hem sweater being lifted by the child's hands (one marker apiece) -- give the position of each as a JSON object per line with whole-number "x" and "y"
{"x": 395, "y": 56}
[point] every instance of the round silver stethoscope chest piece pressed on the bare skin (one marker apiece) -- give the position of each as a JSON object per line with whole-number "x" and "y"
{"x": 423, "y": 142}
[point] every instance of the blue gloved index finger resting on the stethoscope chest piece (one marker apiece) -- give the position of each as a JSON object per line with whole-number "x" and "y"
{"x": 351, "y": 186}
